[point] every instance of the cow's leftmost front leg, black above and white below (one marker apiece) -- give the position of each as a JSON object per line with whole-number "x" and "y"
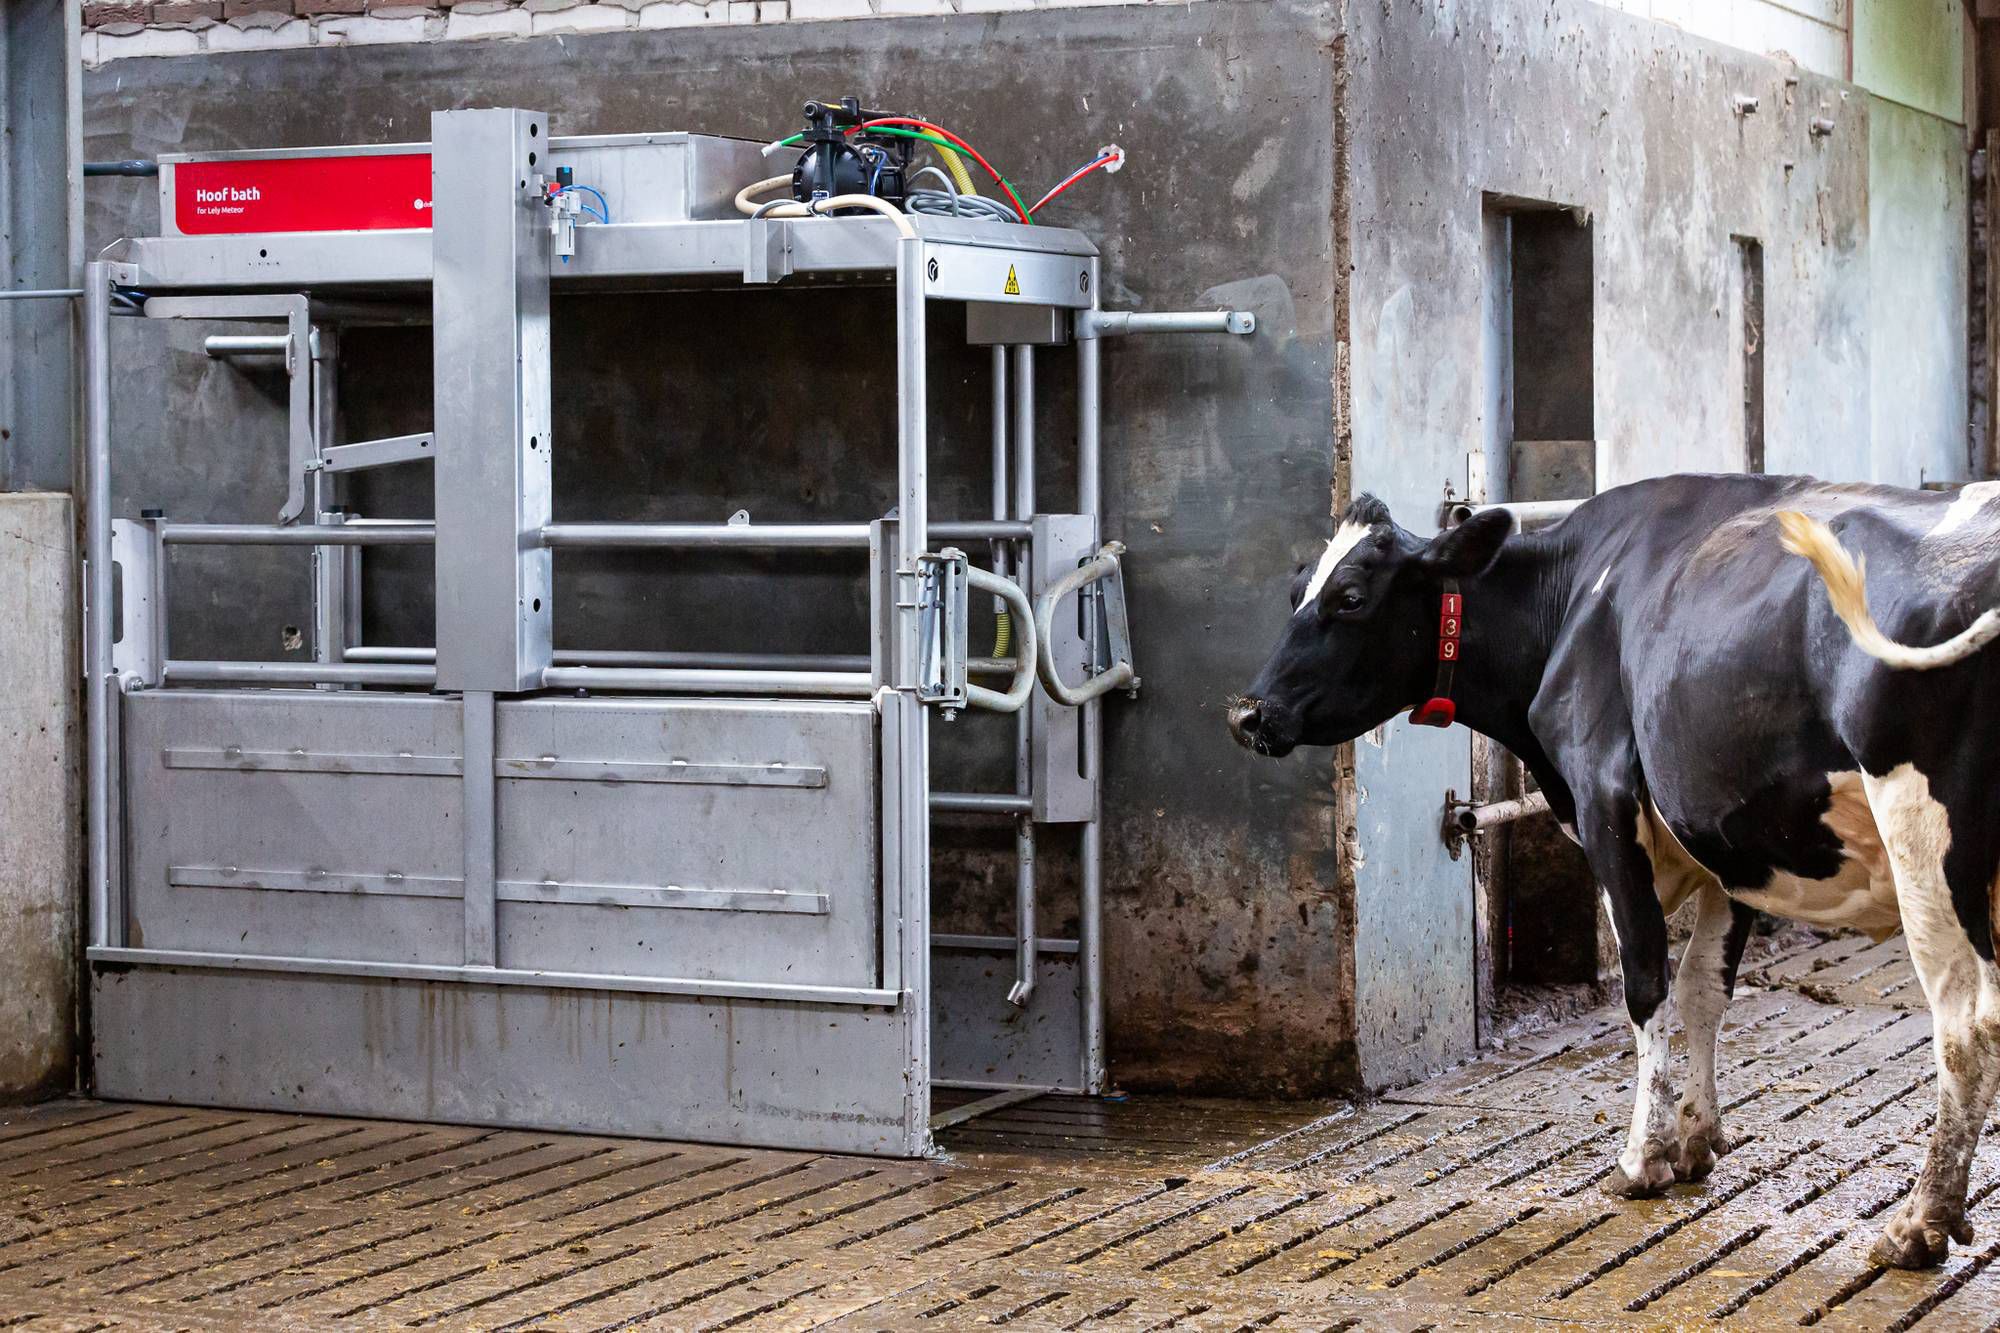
{"x": 1625, "y": 874}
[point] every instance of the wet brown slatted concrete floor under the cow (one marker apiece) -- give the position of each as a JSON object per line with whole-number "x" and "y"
{"x": 1467, "y": 1202}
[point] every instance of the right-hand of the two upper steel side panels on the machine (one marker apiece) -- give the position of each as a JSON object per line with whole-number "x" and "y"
{"x": 607, "y": 854}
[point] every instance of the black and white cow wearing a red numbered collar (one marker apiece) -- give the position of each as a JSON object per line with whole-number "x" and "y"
{"x": 1707, "y": 728}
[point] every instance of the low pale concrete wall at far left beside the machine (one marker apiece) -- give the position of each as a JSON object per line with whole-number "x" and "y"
{"x": 41, "y": 834}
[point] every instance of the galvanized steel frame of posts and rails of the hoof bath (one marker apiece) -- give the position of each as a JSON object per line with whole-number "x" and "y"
{"x": 947, "y": 259}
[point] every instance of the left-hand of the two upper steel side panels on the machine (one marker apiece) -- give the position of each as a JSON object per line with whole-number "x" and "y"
{"x": 201, "y": 838}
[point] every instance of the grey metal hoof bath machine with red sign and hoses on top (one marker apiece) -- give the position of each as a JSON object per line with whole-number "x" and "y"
{"x": 495, "y": 882}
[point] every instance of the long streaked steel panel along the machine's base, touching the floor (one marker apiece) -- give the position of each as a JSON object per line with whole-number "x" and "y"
{"x": 663, "y": 1066}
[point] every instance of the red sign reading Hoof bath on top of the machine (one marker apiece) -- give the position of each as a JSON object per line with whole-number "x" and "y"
{"x": 355, "y": 193}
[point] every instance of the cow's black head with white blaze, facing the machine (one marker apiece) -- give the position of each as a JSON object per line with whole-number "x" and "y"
{"x": 1361, "y": 643}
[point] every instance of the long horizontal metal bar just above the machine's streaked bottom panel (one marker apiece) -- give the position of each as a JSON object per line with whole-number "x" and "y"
{"x": 495, "y": 978}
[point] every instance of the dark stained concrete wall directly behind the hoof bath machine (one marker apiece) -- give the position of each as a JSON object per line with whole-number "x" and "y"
{"x": 1227, "y": 940}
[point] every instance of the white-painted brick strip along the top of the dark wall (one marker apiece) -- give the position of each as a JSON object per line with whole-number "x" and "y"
{"x": 123, "y": 29}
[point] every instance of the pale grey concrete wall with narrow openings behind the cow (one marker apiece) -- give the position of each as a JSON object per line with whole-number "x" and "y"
{"x": 1633, "y": 123}
